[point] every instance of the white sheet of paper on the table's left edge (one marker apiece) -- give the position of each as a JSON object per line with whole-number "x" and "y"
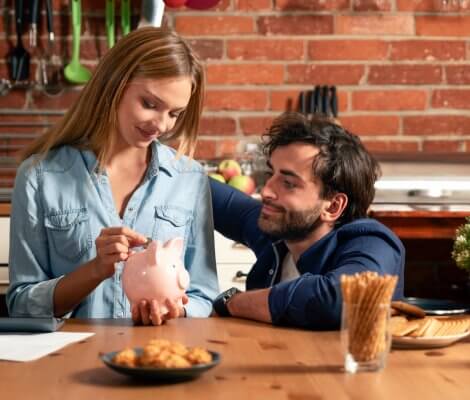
{"x": 29, "y": 347}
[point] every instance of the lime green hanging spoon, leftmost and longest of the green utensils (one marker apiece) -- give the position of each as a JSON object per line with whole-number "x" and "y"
{"x": 75, "y": 72}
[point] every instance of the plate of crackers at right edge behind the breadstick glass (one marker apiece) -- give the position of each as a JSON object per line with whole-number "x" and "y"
{"x": 411, "y": 328}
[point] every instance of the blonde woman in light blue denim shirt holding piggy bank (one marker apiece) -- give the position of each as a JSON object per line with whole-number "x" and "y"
{"x": 103, "y": 177}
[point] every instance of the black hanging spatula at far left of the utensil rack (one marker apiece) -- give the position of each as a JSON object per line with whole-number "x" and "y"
{"x": 18, "y": 58}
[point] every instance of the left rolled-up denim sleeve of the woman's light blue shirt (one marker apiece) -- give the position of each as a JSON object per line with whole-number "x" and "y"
{"x": 32, "y": 286}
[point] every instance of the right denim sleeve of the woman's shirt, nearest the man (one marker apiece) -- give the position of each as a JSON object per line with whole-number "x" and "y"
{"x": 200, "y": 259}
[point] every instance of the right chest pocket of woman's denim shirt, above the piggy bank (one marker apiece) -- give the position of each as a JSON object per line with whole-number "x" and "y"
{"x": 171, "y": 222}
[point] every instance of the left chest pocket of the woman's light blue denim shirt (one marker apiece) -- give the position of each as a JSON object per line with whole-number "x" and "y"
{"x": 70, "y": 233}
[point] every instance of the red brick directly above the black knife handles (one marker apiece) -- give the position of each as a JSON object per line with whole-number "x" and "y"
{"x": 325, "y": 74}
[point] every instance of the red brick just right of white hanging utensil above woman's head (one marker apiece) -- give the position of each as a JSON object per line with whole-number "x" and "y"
{"x": 214, "y": 25}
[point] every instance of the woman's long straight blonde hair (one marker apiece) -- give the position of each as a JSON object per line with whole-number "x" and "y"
{"x": 148, "y": 52}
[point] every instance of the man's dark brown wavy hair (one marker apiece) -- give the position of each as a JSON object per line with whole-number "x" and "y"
{"x": 343, "y": 165}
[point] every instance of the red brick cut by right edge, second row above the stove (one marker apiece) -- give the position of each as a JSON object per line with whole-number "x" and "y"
{"x": 436, "y": 125}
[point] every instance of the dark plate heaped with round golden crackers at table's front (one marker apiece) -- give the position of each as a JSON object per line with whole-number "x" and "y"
{"x": 162, "y": 361}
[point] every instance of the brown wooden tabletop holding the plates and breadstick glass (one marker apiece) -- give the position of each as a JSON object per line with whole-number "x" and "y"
{"x": 258, "y": 362}
